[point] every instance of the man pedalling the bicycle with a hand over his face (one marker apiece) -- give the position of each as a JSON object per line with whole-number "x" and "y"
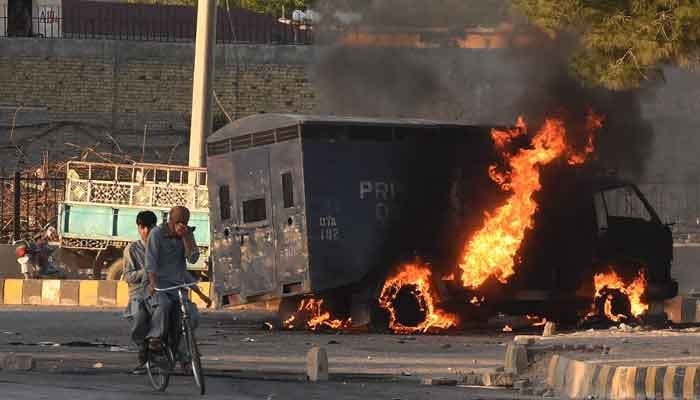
{"x": 168, "y": 248}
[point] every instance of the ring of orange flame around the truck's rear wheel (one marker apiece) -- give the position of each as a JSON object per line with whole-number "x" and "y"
{"x": 419, "y": 277}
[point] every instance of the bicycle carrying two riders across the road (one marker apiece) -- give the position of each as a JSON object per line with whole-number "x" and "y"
{"x": 160, "y": 366}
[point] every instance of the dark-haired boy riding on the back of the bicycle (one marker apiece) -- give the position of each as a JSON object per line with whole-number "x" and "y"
{"x": 135, "y": 276}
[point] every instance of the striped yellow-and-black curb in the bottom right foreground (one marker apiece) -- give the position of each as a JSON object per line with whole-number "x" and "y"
{"x": 584, "y": 379}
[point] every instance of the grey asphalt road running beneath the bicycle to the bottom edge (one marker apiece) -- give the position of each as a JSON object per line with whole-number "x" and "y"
{"x": 86, "y": 354}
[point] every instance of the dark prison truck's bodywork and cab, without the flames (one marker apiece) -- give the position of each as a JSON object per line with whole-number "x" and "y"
{"x": 327, "y": 206}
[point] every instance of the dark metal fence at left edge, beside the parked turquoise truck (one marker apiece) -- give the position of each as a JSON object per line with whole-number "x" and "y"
{"x": 28, "y": 202}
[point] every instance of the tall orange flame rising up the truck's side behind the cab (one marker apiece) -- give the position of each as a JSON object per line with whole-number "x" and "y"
{"x": 491, "y": 251}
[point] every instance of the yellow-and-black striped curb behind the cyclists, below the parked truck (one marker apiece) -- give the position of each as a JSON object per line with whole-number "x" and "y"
{"x": 81, "y": 293}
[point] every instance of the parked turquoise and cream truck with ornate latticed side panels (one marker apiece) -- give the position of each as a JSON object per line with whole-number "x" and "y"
{"x": 98, "y": 215}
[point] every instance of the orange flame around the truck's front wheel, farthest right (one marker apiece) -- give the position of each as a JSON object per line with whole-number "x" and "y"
{"x": 634, "y": 291}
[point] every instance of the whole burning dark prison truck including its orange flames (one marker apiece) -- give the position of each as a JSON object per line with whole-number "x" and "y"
{"x": 418, "y": 226}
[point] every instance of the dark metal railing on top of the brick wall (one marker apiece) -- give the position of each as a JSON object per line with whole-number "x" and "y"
{"x": 77, "y": 19}
